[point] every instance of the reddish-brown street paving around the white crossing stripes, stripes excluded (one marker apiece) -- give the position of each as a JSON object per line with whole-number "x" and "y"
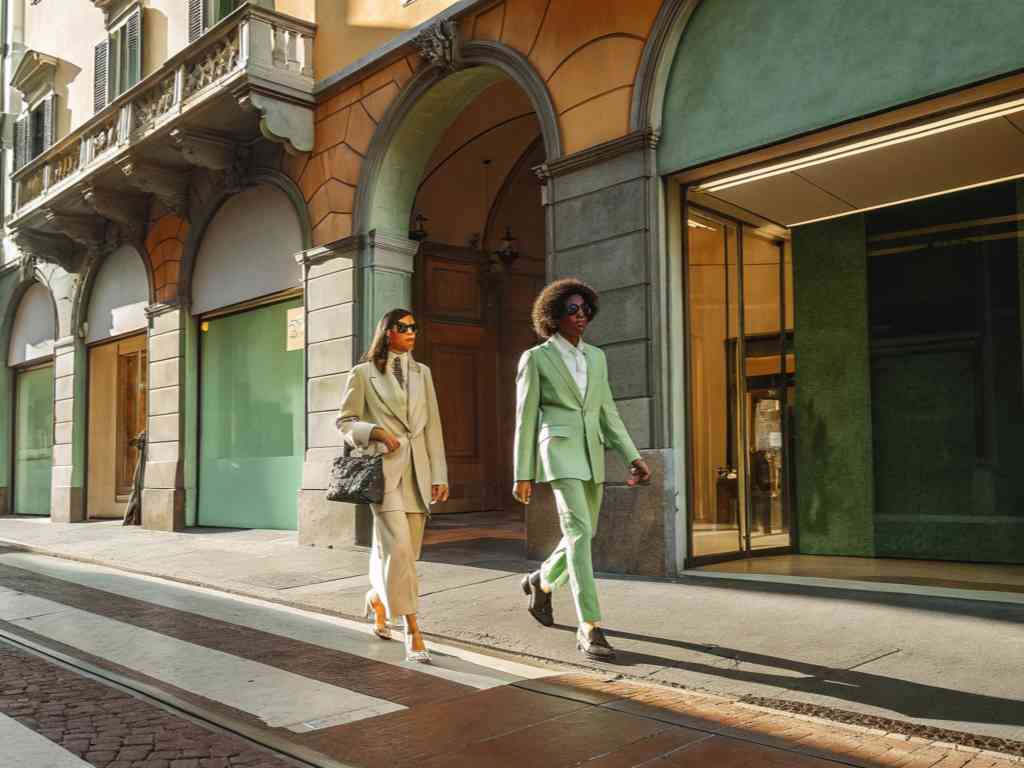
{"x": 557, "y": 722}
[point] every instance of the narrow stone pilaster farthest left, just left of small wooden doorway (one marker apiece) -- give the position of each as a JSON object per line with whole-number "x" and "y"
{"x": 67, "y": 498}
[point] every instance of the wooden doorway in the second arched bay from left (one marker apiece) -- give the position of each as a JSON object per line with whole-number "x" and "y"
{"x": 117, "y": 414}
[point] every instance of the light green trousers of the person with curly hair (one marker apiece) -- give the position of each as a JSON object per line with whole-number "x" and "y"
{"x": 579, "y": 504}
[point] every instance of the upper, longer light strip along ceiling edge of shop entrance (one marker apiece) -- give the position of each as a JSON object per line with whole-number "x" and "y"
{"x": 859, "y": 148}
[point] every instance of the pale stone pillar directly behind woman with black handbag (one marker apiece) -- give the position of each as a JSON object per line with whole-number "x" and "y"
{"x": 329, "y": 278}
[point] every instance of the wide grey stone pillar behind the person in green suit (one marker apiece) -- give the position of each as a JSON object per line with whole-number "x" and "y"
{"x": 603, "y": 227}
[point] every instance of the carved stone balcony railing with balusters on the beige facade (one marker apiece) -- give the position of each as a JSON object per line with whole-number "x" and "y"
{"x": 272, "y": 51}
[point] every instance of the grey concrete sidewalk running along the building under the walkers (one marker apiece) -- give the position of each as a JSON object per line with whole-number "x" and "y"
{"x": 937, "y": 662}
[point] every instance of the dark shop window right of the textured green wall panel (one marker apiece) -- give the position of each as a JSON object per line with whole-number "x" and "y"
{"x": 945, "y": 291}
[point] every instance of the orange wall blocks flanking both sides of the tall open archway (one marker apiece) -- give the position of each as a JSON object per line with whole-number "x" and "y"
{"x": 587, "y": 53}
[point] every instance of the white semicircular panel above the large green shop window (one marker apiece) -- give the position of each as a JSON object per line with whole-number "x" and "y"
{"x": 248, "y": 250}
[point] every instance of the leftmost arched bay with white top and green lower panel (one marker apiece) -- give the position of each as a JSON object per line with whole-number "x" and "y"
{"x": 31, "y": 358}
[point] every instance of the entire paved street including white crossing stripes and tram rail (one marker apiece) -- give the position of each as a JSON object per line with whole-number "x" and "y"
{"x": 104, "y": 668}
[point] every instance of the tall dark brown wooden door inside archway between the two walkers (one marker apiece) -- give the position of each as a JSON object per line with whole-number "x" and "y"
{"x": 475, "y": 325}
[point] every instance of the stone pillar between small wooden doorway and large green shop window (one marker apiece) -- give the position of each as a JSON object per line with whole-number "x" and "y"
{"x": 163, "y": 491}
